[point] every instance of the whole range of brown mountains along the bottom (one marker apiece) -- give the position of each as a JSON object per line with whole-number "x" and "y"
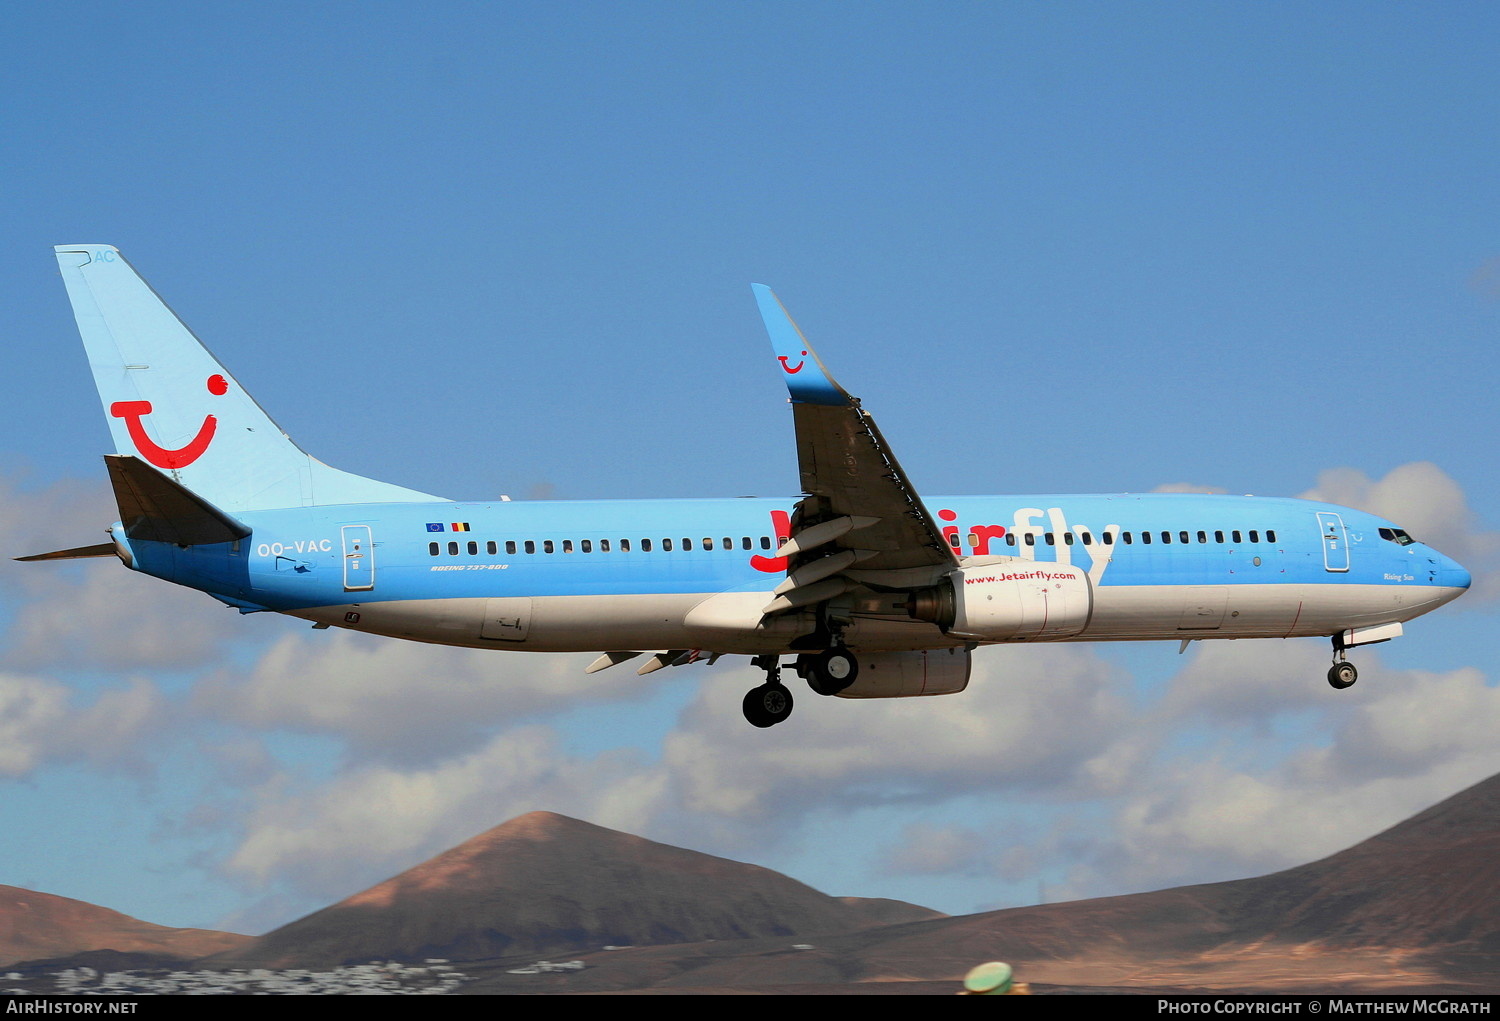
{"x": 1414, "y": 909}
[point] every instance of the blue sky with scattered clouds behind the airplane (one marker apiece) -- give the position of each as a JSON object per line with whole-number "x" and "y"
{"x": 506, "y": 248}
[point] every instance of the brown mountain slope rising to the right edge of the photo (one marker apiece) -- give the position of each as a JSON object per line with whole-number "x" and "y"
{"x": 1417, "y": 906}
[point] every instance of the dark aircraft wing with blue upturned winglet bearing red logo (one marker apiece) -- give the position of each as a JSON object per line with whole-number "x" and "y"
{"x": 860, "y": 521}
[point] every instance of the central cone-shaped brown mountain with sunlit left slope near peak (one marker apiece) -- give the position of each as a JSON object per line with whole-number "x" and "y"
{"x": 547, "y": 885}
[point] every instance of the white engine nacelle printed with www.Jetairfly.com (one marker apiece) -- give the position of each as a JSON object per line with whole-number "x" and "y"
{"x": 1012, "y": 600}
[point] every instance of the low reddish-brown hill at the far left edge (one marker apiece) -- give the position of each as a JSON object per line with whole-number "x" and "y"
{"x": 43, "y": 926}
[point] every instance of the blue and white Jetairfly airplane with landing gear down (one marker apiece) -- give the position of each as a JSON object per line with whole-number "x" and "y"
{"x": 871, "y": 593}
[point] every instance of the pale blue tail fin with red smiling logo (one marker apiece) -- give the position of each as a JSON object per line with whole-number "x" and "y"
{"x": 172, "y": 404}
